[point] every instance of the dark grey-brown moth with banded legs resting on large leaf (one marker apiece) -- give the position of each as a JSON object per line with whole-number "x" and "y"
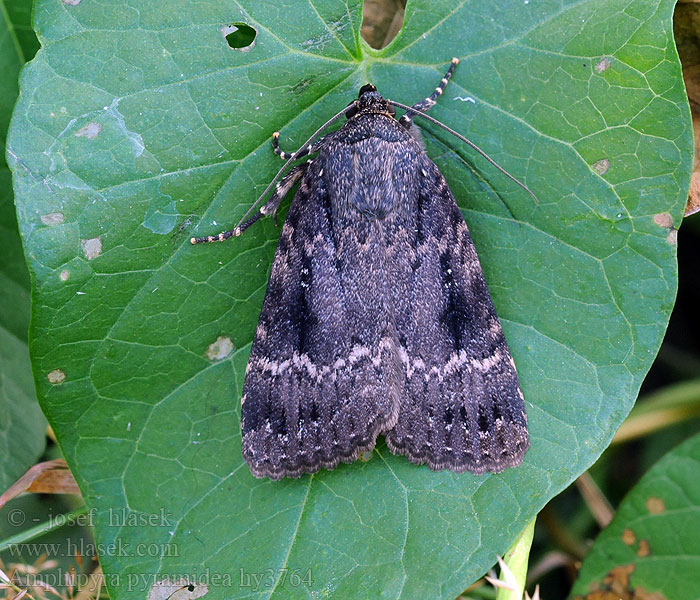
{"x": 377, "y": 318}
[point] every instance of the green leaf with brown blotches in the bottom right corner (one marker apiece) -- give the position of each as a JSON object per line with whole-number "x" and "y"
{"x": 651, "y": 544}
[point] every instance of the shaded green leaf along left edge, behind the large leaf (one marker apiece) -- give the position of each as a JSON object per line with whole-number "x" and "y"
{"x": 22, "y": 425}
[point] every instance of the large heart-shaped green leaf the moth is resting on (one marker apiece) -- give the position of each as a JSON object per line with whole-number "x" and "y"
{"x": 139, "y": 126}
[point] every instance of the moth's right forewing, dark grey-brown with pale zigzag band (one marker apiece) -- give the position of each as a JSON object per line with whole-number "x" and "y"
{"x": 462, "y": 408}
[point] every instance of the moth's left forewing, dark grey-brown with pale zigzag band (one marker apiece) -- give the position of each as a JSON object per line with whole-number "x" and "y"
{"x": 322, "y": 380}
